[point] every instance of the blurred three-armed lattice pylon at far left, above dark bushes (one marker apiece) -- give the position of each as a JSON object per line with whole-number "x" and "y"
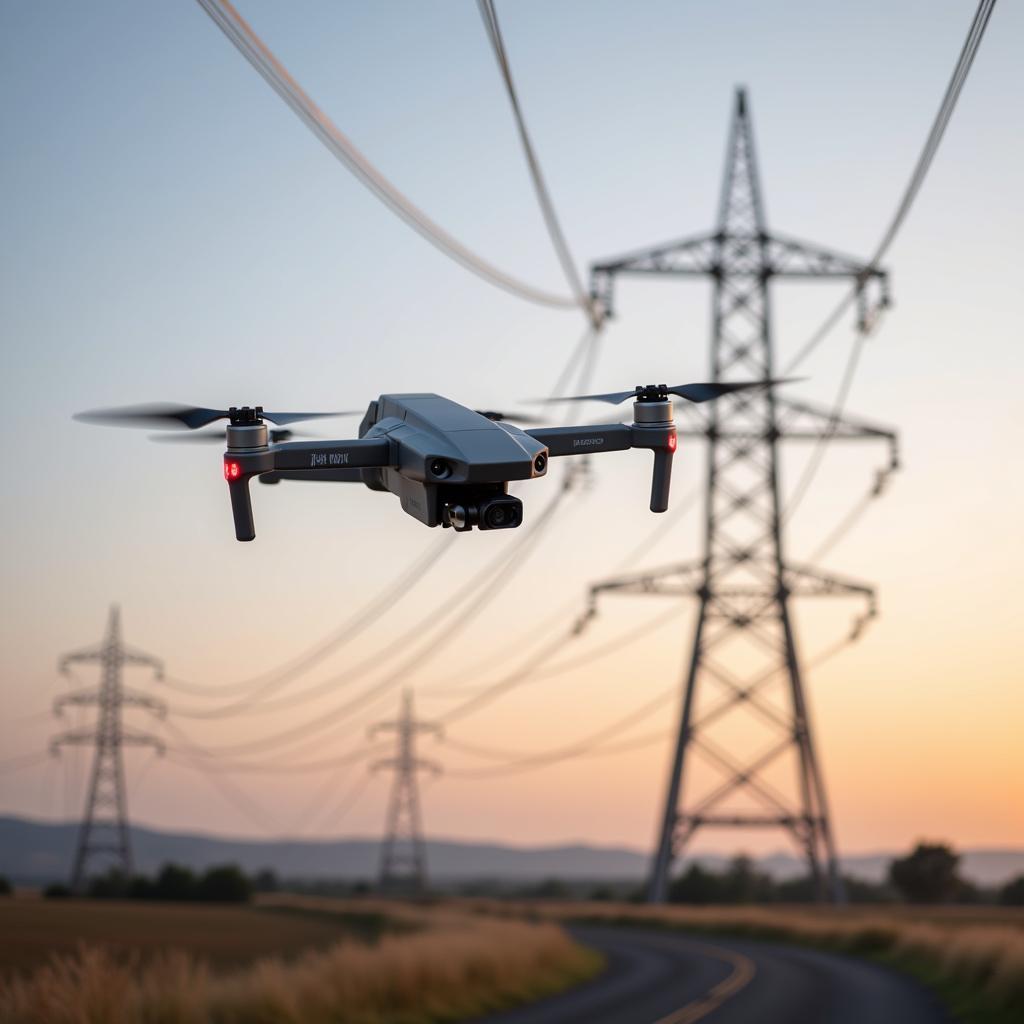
{"x": 104, "y": 832}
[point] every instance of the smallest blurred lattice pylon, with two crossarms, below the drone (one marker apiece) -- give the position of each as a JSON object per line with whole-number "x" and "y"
{"x": 404, "y": 863}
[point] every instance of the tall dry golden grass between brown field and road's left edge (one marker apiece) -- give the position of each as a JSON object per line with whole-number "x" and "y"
{"x": 455, "y": 966}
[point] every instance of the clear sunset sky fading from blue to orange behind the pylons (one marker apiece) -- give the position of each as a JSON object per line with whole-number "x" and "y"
{"x": 173, "y": 232}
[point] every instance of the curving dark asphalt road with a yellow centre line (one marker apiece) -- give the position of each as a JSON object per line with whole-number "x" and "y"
{"x": 663, "y": 978}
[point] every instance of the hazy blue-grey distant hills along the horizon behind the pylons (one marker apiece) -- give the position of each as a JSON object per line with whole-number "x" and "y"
{"x": 33, "y": 852}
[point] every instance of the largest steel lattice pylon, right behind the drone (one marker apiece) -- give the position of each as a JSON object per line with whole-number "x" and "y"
{"x": 744, "y": 642}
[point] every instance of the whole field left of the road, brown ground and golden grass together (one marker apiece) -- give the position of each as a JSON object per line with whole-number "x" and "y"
{"x": 288, "y": 961}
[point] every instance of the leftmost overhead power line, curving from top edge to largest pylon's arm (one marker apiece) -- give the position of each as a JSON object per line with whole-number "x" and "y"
{"x": 343, "y": 148}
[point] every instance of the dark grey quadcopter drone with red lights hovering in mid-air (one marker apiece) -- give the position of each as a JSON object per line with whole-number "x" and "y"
{"x": 449, "y": 465}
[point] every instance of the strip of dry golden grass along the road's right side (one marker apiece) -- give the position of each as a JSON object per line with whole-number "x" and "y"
{"x": 979, "y": 949}
